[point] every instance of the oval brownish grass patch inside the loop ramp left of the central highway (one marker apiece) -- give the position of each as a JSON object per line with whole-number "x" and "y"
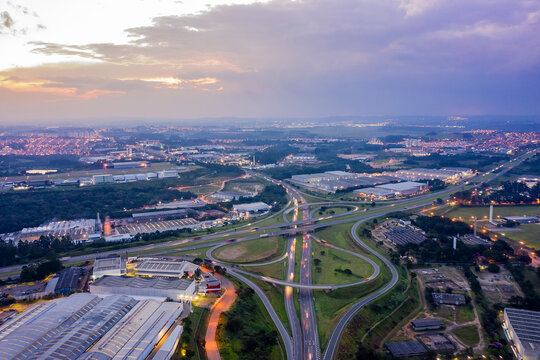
{"x": 263, "y": 249}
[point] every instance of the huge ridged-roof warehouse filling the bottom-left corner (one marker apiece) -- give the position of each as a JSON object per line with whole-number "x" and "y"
{"x": 86, "y": 326}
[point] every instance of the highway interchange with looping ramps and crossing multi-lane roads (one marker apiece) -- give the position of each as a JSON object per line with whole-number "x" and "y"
{"x": 303, "y": 340}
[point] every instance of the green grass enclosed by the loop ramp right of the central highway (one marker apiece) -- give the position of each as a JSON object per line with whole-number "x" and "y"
{"x": 332, "y": 260}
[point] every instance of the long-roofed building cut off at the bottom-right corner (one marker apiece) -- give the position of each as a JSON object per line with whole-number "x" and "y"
{"x": 522, "y": 329}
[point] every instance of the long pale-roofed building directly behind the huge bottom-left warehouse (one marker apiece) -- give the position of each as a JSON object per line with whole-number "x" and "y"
{"x": 175, "y": 289}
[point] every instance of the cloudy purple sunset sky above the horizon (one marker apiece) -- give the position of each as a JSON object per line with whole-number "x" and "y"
{"x": 82, "y": 61}
